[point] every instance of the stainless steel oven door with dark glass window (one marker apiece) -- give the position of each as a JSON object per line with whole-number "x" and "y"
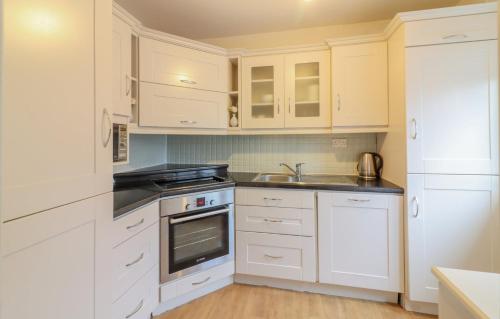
{"x": 195, "y": 241}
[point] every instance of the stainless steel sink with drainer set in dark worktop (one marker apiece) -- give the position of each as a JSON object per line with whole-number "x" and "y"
{"x": 308, "y": 179}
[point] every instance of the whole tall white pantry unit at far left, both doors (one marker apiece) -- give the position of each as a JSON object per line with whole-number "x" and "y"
{"x": 55, "y": 157}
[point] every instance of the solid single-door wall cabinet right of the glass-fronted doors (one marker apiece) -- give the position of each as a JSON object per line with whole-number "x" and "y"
{"x": 360, "y": 85}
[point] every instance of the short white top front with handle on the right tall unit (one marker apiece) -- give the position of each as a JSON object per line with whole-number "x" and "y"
{"x": 450, "y": 30}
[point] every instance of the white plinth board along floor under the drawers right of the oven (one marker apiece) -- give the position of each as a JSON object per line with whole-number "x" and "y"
{"x": 332, "y": 290}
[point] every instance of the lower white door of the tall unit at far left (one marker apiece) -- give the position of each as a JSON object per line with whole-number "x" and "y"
{"x": 56, "y": 264}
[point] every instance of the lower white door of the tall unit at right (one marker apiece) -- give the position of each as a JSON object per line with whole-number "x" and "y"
{"x": 453, "y": 221}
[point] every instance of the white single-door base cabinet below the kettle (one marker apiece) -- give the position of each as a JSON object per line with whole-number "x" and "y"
{"x": 360, "y": 240}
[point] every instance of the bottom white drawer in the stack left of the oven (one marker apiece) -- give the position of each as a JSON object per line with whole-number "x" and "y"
{"x": 140, "y": 301}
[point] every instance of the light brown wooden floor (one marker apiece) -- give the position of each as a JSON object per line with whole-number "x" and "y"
{"x": 250, "y": 302}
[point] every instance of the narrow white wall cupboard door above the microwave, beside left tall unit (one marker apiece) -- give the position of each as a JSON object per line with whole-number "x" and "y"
{"x": 122, "y": 68}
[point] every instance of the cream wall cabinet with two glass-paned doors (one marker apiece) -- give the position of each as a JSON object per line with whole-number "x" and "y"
{"x": 286, "y": 91}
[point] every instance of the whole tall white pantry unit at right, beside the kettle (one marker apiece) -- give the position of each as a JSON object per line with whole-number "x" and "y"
{"x": 443, "y": 144}
